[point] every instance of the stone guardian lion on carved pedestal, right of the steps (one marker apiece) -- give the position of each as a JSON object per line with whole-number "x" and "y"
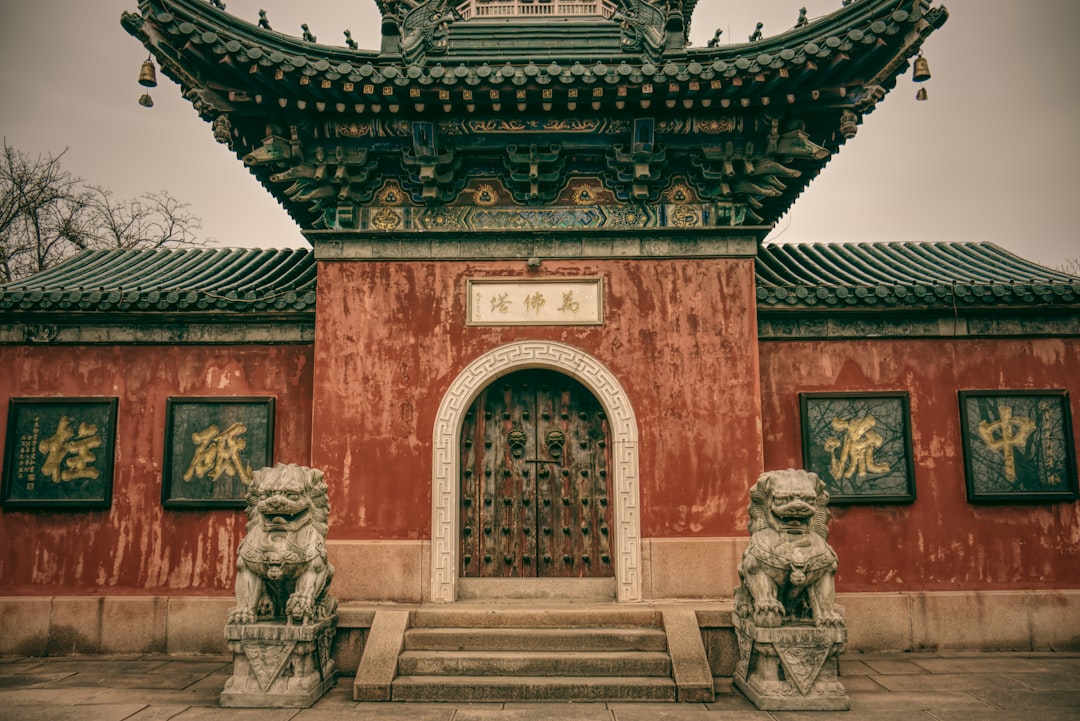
{"x": 789, "y": 628}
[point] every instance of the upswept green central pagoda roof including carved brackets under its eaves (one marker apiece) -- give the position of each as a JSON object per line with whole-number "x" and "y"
{"x": 523, "y": 113}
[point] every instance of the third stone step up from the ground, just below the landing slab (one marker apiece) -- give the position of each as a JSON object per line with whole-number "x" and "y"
{"x": 536, "y": 640}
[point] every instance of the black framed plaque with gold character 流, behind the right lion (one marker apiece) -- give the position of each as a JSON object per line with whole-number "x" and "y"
{"x": 860, "y": 445}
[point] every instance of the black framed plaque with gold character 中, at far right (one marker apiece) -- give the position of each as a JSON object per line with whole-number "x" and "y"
{"x": 1018, "y": 446}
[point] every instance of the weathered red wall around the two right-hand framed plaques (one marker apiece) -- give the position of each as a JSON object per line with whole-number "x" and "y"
{"x": 941, "y": 542}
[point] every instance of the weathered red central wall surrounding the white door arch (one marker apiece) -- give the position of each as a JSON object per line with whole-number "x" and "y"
{"x": 680, "y": 335}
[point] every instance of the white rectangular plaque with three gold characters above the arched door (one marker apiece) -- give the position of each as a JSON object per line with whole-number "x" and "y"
{"x": 548, "y": 302}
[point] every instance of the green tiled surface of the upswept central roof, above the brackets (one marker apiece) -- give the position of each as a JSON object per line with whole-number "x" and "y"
{"x": 861, "y": 33}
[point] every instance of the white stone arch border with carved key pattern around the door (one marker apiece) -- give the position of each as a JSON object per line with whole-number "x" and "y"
{"x": 445, "y": 487}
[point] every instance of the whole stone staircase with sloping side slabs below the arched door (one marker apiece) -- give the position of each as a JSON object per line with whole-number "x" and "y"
{"x": 484, "y": 654}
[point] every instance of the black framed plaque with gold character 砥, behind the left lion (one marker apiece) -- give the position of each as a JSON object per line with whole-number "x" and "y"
{"x": 213, "y": 446}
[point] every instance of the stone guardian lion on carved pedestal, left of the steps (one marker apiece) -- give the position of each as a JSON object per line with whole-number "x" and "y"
{"x": 282, "y": 629}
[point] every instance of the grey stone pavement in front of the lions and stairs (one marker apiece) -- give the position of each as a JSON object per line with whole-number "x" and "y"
{"x": 910, "y": 687}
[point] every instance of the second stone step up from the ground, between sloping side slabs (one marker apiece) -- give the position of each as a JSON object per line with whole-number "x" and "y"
{"x": 547, "y": 664}
